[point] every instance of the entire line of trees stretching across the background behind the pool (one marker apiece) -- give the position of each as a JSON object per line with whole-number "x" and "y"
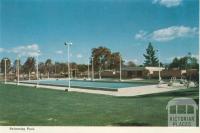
{"x": 102, "y": 58}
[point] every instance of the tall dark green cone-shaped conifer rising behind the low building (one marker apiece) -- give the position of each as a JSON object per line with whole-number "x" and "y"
{"x": 150, "y": 58}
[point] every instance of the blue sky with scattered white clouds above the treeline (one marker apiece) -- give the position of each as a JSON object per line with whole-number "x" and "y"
{"x": 125, "y": 26}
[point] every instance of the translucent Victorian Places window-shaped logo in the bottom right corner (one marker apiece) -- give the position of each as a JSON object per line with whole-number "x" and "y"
{"x": 182, "y": 112}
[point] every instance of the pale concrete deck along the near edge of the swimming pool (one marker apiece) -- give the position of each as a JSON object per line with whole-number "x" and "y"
{"x": 130, "y": 91}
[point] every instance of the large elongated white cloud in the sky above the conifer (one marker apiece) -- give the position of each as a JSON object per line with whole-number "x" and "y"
{"x": 167, "y": 34}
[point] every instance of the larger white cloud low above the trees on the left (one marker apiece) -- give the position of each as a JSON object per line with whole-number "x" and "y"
{"x": 28, "y": 50}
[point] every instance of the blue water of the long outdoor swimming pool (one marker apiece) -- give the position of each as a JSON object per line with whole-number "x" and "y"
{"x": 87, "y": 84}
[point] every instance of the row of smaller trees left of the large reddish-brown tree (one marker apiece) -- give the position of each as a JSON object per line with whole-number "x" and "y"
{"x": 47, "y": 67}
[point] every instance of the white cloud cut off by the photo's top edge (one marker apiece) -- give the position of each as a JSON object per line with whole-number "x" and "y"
{"x": 168, "y": 3}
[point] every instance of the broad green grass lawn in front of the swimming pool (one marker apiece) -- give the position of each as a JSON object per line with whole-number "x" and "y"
{"x": 35, "y": 106}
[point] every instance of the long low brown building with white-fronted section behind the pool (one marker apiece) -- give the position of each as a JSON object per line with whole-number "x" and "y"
{"x": 148, "y": 72}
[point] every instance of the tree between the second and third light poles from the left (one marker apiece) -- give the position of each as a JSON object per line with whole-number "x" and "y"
{"x": 29, "y": 65}
